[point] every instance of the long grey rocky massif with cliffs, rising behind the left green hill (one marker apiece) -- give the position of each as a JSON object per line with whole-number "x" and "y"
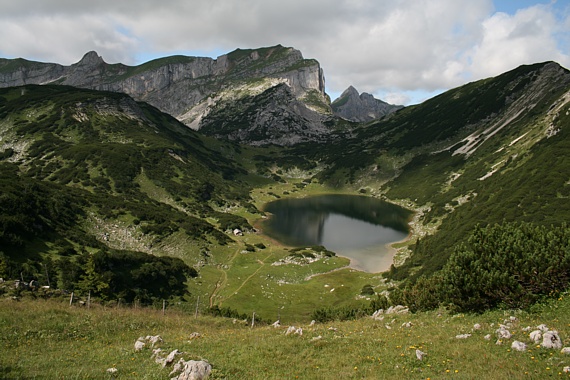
{"x": 196, "y": 89}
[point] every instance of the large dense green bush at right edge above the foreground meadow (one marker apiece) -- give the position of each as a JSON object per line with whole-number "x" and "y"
{"x": 509, "y": 265}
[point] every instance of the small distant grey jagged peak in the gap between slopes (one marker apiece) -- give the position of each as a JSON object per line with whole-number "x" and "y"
{"x": 361, "y": 107}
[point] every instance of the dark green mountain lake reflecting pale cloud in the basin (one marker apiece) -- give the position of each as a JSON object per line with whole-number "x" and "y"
{"x": 357, "y": 227}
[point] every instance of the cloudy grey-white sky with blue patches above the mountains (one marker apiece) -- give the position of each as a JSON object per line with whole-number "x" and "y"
{"x": 401, "y": 51}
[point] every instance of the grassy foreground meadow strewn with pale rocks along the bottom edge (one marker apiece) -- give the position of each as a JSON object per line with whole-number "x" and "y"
{"x": 50, "y": 340}
